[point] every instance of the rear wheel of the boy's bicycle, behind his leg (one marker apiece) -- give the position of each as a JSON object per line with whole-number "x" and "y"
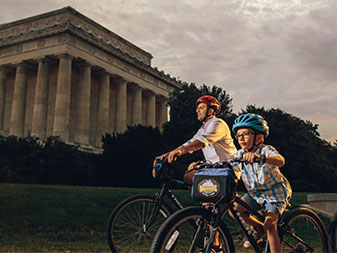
{"x": 305, "y": 232}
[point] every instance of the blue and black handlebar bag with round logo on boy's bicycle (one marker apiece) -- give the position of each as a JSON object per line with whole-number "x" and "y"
{"x": 212, "y": 184}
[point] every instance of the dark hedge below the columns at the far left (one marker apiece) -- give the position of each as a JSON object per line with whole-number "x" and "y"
{"x": 29, "y": 160}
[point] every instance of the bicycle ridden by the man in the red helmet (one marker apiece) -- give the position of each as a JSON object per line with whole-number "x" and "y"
{"x": 134, "y": 221}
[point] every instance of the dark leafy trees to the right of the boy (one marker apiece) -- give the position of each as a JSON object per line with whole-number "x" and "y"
{"x": 309, "y": 159}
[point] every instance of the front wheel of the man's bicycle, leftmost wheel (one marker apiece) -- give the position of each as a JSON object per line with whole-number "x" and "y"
{"x": 126, "y": 229}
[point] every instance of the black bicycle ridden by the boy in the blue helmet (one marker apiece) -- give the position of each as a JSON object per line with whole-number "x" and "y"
{"x": 194, "y": 229}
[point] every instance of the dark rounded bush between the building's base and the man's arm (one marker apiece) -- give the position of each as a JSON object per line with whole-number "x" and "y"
{"x": 127, "y": 157}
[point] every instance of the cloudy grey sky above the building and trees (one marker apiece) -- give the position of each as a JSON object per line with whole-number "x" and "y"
{"x": 272, "y": 53}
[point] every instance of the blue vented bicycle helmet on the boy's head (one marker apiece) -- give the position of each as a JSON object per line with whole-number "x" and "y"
{"x": 253, "y": 121}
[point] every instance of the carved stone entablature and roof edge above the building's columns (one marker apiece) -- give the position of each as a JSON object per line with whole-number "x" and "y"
{"x": 68, "y": 27}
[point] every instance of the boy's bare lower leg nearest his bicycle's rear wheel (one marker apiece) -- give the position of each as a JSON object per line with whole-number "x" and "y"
{"x": 270, "y": 227}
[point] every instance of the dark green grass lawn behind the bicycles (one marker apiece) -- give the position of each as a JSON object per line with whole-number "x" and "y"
{"x": 39, "y": 218}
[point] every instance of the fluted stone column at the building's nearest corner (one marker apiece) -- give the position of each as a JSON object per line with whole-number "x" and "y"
{"x": 62, "y": 101}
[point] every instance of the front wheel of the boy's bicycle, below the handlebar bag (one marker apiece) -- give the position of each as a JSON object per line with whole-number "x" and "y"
{"x": 187, "y": 230}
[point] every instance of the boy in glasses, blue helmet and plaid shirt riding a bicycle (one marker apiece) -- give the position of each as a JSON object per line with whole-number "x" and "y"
{"x": 266, "y": 185}
